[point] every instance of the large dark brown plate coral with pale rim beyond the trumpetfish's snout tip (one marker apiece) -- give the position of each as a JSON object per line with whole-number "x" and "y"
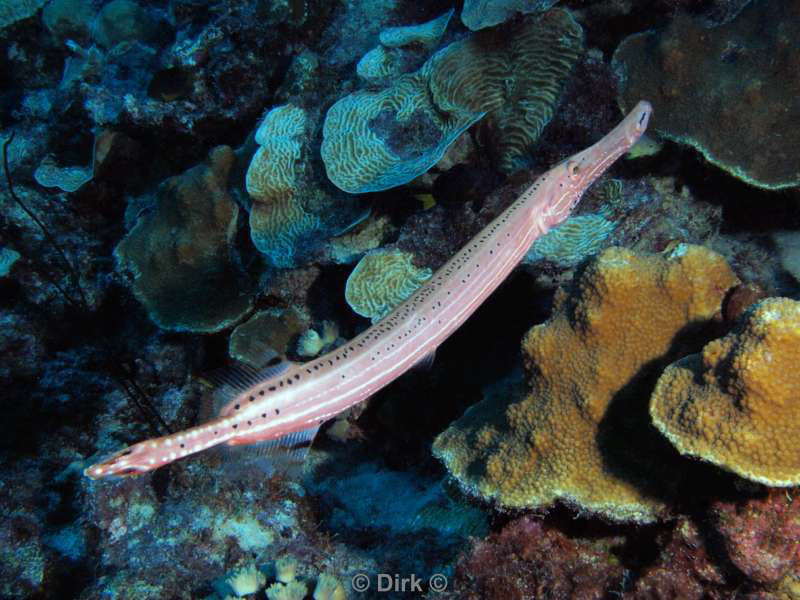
{"x": 730, "y": 92}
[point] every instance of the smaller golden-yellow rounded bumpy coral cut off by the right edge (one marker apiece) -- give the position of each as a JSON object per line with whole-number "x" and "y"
{"x": 736, "y": 403}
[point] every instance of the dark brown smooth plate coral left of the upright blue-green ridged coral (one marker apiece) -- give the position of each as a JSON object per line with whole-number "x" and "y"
{"x": 182, "y": 251}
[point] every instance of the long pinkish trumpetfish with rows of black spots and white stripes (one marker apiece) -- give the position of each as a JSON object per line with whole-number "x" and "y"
{"x": 284, "y": 405}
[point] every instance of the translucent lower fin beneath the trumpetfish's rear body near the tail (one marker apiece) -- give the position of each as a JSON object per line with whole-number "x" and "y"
{"x": 285, "y": 454}
